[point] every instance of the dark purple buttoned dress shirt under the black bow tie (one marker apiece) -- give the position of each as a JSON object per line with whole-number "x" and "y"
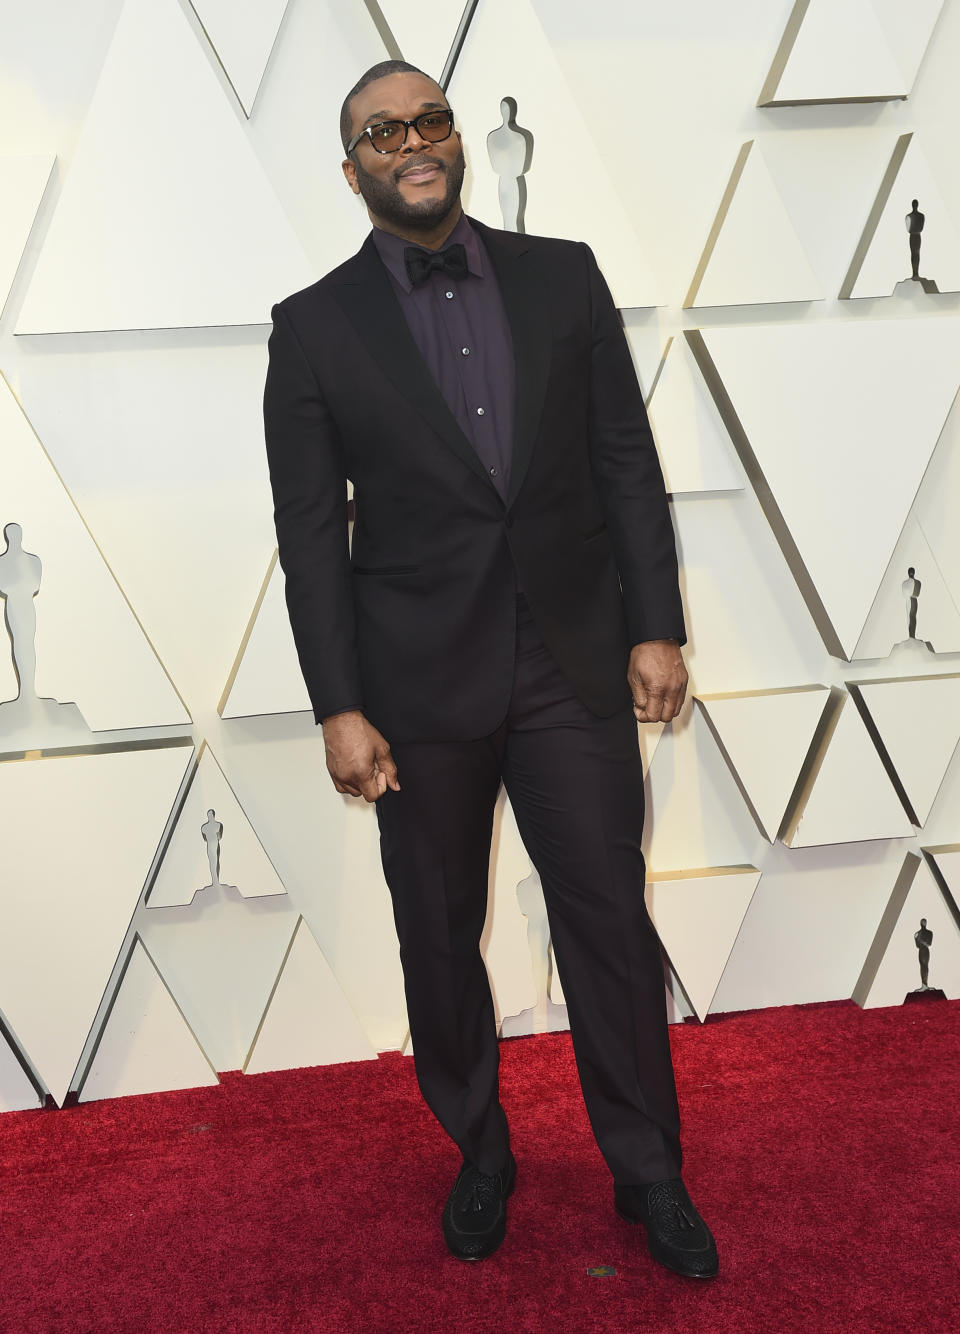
{"x": 462, "y": 330}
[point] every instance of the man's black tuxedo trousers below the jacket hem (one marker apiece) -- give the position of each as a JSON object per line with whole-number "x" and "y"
{"x": 575, "y": 782}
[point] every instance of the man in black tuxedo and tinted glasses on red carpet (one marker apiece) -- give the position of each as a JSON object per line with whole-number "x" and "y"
{"x": 513, "y": 580}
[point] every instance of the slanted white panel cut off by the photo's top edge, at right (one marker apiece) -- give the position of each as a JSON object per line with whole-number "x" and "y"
{"x": 849, "y": 51}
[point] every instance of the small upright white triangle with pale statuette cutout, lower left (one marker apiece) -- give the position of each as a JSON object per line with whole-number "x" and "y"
{"x": 213, "y": 845}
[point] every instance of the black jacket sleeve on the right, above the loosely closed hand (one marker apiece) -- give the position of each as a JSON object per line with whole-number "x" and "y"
{"x": 629, "y": 478}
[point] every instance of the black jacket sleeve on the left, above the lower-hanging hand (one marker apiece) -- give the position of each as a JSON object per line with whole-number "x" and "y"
{"x": 310, "y": 508}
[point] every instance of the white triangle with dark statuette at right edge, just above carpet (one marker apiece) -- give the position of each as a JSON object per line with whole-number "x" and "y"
{"x": 917, "y": 949}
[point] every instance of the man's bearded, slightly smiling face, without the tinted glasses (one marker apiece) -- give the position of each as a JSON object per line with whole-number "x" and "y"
{"x": 415, "y": 189}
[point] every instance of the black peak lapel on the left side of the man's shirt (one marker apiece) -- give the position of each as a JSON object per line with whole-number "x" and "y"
{"x": 367, "y": 298}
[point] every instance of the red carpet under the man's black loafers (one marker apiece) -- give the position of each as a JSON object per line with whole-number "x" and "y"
{"x": 822, "y": 1145}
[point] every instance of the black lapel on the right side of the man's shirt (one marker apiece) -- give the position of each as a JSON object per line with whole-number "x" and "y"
{"x": 526, "y": 305}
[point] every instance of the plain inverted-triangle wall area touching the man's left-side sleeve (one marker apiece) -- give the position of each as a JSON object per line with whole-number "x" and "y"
{"x": 159, "y": 441}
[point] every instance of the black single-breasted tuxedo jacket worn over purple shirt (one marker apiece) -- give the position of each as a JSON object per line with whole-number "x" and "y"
{"x": 417, "y": 624}
